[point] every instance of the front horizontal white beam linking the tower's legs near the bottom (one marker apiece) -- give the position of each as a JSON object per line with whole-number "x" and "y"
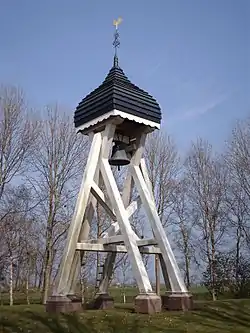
{"x": 113, "y": 248}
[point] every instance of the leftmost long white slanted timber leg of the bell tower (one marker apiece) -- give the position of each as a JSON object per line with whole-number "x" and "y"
{"x": 77, "y": 219}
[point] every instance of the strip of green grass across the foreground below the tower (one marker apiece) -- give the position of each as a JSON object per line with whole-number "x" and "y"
{"x": 209, "y": 317}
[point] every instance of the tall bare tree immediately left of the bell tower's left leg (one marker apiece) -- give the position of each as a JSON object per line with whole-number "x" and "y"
{"x": 56, "y": 164}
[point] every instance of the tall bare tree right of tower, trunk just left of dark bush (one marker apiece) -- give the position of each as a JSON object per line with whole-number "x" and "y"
{"x": 207, "y": 182}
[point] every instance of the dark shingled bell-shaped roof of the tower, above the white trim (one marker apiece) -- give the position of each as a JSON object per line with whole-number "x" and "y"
{"x": 117, "y": 93}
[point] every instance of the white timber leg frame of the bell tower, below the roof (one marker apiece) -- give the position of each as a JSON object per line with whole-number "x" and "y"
{"x": 120, "y": 238}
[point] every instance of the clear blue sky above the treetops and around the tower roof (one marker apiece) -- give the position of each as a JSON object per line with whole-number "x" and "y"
{"x": 192, "y": 55}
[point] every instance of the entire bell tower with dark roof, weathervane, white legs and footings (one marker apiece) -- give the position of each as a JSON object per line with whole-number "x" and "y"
{"x": 117, "y": 117}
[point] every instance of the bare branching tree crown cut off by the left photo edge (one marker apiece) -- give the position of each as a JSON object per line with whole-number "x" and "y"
{"x": 18, "y": 132}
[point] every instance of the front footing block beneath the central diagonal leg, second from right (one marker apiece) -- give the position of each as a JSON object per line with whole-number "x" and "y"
{"x": 148, "y": 303}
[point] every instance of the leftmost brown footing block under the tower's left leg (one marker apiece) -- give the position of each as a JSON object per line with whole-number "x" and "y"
{"x": 58, "y": 304}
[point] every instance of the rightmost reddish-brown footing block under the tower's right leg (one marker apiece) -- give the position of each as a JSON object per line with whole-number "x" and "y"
{"x": 177, "y": 301}
